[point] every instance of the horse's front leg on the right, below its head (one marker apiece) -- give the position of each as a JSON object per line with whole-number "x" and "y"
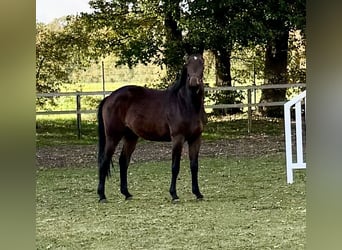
{"x": 194, "y": 147}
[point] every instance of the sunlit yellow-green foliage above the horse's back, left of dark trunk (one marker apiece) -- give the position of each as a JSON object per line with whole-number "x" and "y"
{"x": 133, "y": 31}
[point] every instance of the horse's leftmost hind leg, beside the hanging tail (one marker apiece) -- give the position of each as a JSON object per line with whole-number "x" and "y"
{"x": 104, "y": 166}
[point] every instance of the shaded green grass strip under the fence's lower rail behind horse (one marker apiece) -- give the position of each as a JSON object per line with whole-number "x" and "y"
{"x": 64, "y": 131}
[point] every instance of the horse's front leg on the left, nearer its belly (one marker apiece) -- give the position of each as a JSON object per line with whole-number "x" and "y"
{"x": 177, "y": 146}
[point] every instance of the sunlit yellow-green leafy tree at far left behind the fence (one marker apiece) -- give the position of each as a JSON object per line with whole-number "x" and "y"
{"x": 61, "y": 48}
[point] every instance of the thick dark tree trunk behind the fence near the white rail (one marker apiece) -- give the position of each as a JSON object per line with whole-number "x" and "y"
{"x": 275, "y": 72}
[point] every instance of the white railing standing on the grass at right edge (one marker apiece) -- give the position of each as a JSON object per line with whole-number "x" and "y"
{"x": 299, "y": 163}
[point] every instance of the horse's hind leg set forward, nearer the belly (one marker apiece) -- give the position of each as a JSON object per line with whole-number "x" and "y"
{"x": 130, "y": 142}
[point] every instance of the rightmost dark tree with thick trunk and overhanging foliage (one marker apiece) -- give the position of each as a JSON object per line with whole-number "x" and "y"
{"x": 279, "y": 18}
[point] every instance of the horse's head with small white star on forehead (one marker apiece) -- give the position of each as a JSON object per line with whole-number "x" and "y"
{"x": 194, "y": 68}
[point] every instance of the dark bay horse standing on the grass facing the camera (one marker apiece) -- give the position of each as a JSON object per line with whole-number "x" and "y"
{"x": 175, "y": 114}
